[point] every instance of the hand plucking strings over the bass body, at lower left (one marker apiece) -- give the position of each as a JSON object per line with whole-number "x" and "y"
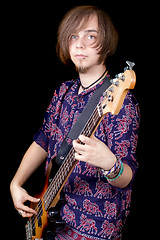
{"x": 20, "y": 196}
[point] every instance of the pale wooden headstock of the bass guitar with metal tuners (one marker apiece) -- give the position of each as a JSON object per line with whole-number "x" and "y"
{"x": 115, "y": 94}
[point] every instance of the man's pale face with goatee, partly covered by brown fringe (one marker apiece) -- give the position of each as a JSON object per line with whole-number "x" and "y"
{"x": 81, "y": 46}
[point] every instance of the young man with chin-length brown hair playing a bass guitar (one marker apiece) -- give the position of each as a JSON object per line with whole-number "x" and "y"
{"x": 98, "y": 191}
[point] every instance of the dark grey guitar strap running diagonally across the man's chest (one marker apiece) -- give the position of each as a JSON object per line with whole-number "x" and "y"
{"x": 82, "y": 120}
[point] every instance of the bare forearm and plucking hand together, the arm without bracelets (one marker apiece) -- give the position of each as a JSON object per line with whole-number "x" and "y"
{"x": 32, "y": 159}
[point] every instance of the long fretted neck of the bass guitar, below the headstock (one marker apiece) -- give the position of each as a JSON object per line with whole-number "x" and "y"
{"x": 69, "y": 162}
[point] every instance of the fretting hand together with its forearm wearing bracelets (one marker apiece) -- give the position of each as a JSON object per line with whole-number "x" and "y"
{"x": 98, "y": 154}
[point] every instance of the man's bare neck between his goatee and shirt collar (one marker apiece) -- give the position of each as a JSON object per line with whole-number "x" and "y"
{"x": 91, "y": 75}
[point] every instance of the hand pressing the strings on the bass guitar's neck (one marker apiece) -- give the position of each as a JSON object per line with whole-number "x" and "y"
{"x": 93, "y": 151}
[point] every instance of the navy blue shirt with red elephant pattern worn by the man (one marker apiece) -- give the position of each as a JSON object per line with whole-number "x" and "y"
{"x": 94, "y": 208}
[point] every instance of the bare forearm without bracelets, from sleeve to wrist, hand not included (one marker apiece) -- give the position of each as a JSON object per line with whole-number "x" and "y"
{"x": 32, "y": 159}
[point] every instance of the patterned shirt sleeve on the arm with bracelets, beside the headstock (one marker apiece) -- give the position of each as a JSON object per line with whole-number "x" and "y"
{"x": 122, "y": 132}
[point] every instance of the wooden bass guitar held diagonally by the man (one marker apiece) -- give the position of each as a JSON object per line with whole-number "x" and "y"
{"x": 111, "y": 102}
